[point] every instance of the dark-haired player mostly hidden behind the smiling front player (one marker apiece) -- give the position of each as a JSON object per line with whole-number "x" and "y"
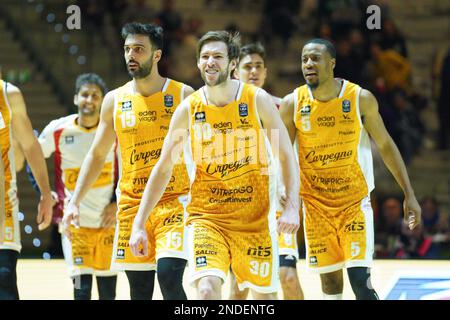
{"x": 252, "y": 69}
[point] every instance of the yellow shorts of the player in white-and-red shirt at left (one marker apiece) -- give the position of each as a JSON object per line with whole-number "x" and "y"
{"x": 90, "y": 251}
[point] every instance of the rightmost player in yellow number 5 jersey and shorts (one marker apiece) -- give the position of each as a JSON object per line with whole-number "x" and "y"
{"x": 333, "y": 121}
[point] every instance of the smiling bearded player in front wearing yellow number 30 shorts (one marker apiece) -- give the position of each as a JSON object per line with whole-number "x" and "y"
{"x": 233, "y": 189}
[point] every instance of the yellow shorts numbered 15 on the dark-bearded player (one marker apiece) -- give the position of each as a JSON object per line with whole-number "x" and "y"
{"x": 165, "y": 233}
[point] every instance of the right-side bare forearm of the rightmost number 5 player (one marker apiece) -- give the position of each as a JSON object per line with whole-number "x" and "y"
{"x": 394, "y": 162}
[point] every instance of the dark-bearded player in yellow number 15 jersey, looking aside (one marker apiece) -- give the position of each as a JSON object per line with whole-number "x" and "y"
{"x": 138, "y": 115}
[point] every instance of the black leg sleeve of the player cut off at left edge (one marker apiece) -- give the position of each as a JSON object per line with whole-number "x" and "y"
{"x": 8, "y": 277}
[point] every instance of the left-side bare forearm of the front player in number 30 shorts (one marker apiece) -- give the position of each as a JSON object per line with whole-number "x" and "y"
{"x": 156, "y": 185}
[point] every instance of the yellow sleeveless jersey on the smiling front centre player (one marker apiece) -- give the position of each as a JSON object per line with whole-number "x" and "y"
{"x": 234, "y": 186}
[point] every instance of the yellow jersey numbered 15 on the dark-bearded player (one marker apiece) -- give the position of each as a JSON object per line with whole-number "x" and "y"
{"x": 141, "y": 124}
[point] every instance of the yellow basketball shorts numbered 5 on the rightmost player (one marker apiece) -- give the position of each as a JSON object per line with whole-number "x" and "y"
{"x": 336, "y": 239}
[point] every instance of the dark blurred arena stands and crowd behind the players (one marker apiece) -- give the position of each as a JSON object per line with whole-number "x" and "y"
{"x": 405, "y": 63}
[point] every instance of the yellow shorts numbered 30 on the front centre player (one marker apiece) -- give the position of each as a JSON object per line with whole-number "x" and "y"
{"x": 253, "y": 257}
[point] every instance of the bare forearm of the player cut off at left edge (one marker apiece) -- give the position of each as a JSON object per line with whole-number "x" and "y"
{"x": 35, "y": 158}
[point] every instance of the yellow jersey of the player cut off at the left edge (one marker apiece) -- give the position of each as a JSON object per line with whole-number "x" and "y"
{"x": 11, "y": 201}
